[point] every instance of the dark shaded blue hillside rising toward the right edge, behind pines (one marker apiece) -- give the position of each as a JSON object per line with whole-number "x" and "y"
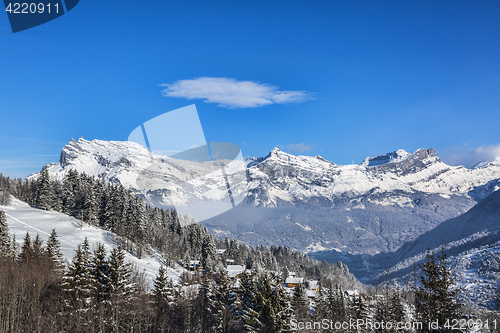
{"x": 472, "y": 244}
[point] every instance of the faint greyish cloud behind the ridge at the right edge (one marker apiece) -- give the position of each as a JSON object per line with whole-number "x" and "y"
{"x": 475, "y": 158}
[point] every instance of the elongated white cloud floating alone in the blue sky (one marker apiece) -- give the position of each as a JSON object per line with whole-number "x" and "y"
{"x": 233, "y": 94}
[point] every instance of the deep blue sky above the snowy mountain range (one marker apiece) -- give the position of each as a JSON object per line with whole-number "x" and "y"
{"x": 342, "y": 79}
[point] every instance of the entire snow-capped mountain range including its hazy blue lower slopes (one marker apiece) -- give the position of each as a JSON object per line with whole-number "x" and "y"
{"x": 304, "y": 202}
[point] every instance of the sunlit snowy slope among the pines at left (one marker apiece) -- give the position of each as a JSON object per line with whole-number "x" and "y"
{"x": 22, "y": 218}
